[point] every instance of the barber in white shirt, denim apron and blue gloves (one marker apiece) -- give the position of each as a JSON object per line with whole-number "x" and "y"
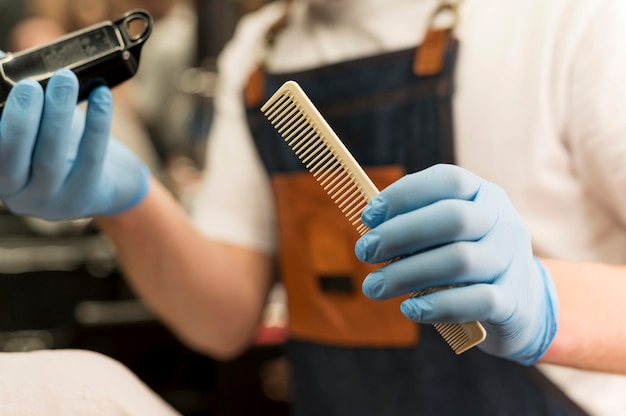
{"x": 529, "y": 99}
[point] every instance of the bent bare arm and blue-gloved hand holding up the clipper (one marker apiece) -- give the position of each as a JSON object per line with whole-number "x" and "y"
{"x": 57, "y": 162}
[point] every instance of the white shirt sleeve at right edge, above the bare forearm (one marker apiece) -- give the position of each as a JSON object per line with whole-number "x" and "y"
{"x": 596, "y": 131}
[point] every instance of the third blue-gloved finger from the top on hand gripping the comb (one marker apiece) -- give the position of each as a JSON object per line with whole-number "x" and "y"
{"x": 453, "y": 264}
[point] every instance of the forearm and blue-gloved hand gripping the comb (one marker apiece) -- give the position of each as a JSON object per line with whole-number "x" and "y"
{"x": 446, "y": 226}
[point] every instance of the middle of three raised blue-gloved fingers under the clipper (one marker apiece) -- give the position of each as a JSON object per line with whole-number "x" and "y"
{"x": 52, "y": 160}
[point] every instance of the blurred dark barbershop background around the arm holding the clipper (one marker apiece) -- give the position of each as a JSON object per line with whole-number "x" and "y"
{"x": 60, "y": 286}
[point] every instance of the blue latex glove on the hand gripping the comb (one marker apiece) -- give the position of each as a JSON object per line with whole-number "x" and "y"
{"x": 463, "y": 232}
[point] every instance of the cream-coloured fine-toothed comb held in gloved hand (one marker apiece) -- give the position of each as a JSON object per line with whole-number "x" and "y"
{"x": 310, "y": 137}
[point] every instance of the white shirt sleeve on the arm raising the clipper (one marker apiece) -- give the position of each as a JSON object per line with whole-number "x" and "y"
{"x": 234, "y": 202}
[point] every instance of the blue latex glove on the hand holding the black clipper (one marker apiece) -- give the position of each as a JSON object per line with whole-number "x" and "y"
{"x": 58, "y": 162}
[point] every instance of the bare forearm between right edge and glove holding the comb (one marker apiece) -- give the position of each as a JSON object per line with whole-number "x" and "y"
{"x": 591, "y": 330}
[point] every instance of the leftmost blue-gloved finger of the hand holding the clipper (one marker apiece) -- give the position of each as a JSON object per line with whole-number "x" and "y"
{"x": 18, "y": 133}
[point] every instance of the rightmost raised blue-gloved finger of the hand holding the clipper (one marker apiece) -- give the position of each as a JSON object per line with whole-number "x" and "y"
{"x": 93, "y": 145}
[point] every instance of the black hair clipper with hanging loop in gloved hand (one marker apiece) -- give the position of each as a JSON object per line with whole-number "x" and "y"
{"x": 106, "y": 53}
